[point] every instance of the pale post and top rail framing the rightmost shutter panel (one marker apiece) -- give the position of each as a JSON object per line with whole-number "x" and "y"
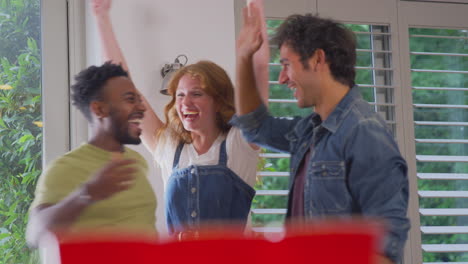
{"x": 419, "y": 14}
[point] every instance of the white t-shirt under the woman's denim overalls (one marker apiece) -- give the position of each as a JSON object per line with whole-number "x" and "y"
{"x": 242, "y": 159}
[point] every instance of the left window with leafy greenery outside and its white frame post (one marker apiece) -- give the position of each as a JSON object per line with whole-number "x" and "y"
{"x": 24, "y": 130}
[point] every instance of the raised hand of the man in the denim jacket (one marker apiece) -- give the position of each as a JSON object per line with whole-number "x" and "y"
{"x": 250, "y": 37}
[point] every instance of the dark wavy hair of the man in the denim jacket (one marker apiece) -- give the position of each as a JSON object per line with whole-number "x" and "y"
{"x": 307, "y": 33}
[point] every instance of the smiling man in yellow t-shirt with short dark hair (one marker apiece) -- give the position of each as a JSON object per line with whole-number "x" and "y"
{"x": 101, "y": 186}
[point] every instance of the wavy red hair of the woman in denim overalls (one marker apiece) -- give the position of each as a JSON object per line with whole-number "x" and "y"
{"x": 216, "y": 82}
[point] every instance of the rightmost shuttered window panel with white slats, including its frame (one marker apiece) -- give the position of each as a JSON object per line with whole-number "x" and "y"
{"x": 434, "y": 73}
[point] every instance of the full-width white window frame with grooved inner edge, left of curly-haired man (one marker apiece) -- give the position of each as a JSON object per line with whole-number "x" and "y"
{"x": 64, "y": 26}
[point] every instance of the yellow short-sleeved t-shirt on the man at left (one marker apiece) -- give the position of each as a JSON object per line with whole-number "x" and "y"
{"x": 132, "y": 210}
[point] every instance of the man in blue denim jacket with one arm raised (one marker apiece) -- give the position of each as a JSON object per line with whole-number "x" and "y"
{"x": 344, "y": 160}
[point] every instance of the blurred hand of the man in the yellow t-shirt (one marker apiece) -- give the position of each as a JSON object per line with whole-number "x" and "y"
{"x": 115, "y": 177}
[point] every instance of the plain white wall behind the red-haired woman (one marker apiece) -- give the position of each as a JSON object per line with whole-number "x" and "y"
{"x": 152, "y": 33}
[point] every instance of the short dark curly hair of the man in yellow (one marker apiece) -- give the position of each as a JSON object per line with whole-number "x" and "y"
{"x": 89, "y": 84}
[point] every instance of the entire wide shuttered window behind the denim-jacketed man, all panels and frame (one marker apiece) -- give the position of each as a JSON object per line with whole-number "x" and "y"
{"x": 413, "y": 69}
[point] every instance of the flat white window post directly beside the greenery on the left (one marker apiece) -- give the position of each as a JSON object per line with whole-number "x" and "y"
{"x": 55, "y": 79}
